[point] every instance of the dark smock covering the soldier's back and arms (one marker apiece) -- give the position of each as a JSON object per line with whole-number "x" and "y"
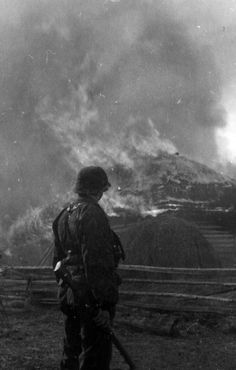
{"x": 83, "y": 228}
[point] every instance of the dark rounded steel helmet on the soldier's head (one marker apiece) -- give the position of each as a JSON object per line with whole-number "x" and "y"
{"x": 91, "y": 179}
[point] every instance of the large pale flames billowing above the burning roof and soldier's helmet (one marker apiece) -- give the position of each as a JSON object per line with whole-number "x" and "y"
{"x": 80, "y": 130}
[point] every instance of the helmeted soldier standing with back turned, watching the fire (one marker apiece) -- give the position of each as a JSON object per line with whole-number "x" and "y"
{"x": 86, "y": 243}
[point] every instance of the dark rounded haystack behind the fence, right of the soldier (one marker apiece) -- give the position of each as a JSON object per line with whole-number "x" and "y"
{"x": 169, "y": 242}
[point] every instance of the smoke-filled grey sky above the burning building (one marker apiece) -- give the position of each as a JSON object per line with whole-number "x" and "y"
{"x": 107, "y": 82}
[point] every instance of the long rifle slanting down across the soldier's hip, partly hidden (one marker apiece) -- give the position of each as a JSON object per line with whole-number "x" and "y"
{"x": 62, "y": 273}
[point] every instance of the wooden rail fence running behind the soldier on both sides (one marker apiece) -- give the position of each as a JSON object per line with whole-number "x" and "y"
{"x": 152, "y": 288}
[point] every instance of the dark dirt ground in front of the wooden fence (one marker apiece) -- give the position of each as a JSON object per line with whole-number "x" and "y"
{"x": 33, "y": 340}
